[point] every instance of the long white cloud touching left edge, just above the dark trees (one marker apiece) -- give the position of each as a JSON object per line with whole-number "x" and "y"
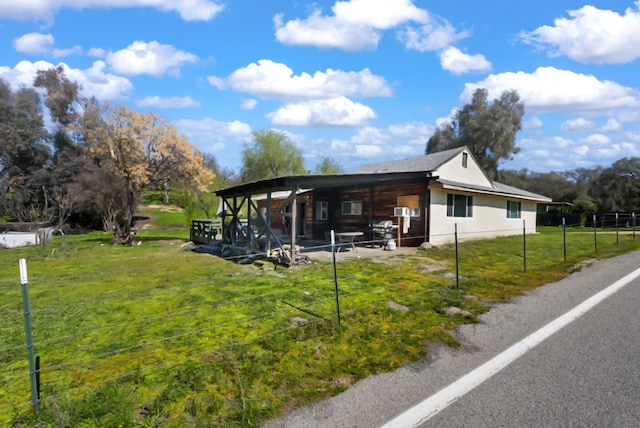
{"x": 94, "y": 81}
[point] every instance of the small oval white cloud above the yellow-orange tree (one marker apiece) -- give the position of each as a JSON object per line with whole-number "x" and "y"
{"x": 150, "y": 58}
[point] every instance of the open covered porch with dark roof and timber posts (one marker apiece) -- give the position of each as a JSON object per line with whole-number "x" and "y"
{"x": 273, "y": 218}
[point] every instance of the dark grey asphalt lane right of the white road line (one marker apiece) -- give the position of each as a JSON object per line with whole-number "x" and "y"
{"x": 587, "y": 375}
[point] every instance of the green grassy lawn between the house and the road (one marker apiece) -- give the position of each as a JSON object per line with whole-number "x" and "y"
{"x": 156, "y": 335}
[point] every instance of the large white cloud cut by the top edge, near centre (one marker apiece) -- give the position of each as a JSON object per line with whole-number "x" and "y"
{"x": 354, "y": 24}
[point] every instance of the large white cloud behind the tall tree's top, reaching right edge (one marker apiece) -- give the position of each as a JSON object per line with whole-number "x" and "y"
{"x": 549, "y": 89}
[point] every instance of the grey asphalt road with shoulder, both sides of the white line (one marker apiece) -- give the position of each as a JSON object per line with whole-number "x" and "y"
{"x": 587, "y": 374}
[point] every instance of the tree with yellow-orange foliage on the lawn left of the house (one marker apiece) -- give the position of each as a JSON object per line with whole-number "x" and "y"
{"x": 142, "y": 149}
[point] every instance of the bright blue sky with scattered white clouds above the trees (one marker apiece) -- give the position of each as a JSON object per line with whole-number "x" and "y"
{"x": 360, "y": 81}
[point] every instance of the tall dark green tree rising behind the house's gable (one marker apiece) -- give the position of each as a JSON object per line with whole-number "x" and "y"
{"x": 489, "y": 130}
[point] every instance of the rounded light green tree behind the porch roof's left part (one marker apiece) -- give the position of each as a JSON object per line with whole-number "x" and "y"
{"x": 273, "y": 154}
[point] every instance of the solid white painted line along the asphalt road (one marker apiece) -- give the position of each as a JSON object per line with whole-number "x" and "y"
{"x": 428, "y": 408}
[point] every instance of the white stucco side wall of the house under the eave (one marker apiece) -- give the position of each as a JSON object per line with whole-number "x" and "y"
{"x": 489, "y": 219}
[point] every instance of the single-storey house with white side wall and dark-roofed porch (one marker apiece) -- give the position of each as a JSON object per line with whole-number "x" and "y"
{"x": 428, "y": 198}
